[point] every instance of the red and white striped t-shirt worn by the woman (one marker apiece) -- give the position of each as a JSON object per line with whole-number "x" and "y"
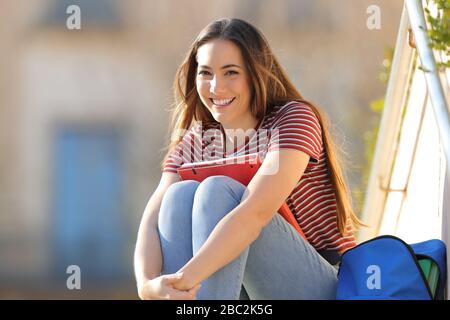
{"x": 293, "y": 126}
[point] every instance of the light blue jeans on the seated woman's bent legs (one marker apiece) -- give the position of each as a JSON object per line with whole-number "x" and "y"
{"x": 279, "y": 264}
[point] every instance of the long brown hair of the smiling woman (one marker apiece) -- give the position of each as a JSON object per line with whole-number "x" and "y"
{"x": 270, "y": 87}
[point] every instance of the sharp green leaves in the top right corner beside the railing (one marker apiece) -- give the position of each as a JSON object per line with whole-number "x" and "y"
{"x": 439, "y": 30}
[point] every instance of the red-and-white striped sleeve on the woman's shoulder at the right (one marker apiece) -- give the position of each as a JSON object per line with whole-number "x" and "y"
{"x": 297, "y": 127}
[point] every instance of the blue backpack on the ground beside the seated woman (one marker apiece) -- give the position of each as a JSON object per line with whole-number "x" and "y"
{"x": 388, "y": 268}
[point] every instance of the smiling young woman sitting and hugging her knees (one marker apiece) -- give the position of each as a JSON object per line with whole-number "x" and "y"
{"x": 219, "y": 239}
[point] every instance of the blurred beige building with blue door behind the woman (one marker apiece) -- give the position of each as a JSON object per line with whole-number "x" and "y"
{"x": 84, "y": 115}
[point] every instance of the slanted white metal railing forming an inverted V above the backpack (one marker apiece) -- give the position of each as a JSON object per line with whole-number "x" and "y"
{"x": 397, "y": 97}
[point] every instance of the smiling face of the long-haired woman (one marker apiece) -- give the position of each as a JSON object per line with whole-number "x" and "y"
{"x": 223, "y": 85}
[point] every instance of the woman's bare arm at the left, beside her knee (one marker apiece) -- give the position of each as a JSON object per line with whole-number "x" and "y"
{"x": 147, "y": 254}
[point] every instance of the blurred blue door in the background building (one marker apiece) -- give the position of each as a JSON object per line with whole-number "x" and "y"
{"x": 88, "y": 229}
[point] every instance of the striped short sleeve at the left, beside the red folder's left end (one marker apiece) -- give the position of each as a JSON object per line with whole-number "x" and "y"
{"x": 186, "y": 151}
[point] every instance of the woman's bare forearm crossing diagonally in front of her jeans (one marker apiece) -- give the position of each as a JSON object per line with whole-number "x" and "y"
{"x": 269, "y": 188}
